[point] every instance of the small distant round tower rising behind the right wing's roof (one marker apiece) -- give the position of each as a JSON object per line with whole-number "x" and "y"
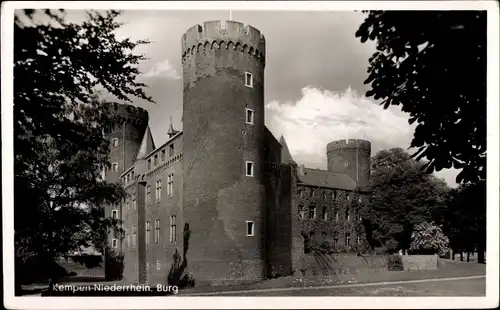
{"x": 351, "y": 157}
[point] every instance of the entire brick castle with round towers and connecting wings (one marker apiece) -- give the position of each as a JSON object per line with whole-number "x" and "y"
{"x": 224, "y": 193}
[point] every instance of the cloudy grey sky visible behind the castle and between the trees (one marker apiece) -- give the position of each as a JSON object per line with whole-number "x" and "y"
{"x": 314, "y": 90}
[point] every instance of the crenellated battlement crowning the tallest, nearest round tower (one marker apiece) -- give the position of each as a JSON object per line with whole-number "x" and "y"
{"x": 224, "y": 34}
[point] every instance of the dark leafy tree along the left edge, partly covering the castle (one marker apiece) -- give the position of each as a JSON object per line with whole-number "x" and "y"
{"x": 59, "y": 144}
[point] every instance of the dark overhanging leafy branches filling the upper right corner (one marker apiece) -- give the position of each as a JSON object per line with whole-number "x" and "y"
{"x": 433, "y": 65}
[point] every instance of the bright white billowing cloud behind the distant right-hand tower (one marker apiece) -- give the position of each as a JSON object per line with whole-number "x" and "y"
{"x": 321, "y": 116}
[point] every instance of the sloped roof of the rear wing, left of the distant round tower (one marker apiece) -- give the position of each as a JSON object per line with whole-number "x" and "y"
{"x": 323, "y": 178}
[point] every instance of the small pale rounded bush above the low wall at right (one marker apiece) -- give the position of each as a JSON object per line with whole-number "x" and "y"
{"x": 427, "y": 238}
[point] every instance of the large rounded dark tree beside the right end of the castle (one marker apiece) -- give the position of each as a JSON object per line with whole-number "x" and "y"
{"x": 402, "y": 196}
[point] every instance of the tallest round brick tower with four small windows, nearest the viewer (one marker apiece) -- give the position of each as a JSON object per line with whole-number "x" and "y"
{"x": 223, "y": 121}
